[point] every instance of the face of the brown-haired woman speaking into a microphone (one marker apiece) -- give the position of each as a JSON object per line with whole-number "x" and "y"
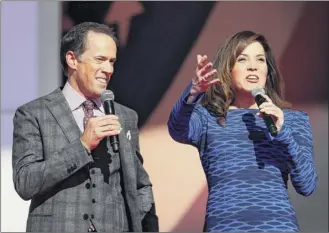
{"x": 250, "y": 69}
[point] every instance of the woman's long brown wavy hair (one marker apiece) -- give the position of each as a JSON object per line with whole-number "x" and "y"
{"x": 220, "y": 96}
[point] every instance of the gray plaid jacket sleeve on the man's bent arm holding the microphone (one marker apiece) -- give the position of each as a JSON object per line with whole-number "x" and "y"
{"x": 33, "y": 174}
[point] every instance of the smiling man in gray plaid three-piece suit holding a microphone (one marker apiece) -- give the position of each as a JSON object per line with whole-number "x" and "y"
{"x": 62, "y": 158}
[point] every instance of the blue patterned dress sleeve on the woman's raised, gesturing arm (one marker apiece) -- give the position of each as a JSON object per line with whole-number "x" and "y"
{"x": 185, "y": 122}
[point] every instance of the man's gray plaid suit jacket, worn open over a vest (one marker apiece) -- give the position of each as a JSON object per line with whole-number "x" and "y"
{"x": 50, "y": 167}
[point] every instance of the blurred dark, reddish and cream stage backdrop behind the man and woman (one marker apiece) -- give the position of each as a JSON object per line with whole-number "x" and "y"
{"x": 159, "y": 42}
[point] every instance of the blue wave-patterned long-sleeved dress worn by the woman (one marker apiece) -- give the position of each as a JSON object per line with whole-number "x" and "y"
{"x": 246, "y": 168}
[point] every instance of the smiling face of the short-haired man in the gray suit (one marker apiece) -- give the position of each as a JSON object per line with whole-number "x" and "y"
{"x": 94, "y": 68}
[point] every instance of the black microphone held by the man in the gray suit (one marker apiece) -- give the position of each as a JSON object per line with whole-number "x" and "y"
{"x": 107, "y": 98}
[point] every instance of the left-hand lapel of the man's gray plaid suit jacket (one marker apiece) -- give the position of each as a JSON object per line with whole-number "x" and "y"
{"x": 61, "y": 111}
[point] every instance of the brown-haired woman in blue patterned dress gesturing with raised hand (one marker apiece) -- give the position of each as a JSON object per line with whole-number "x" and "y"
{"x": 246, "y": 167}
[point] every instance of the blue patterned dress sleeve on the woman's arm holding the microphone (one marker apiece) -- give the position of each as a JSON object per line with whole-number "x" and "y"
{"x": 297, "y": 136}
